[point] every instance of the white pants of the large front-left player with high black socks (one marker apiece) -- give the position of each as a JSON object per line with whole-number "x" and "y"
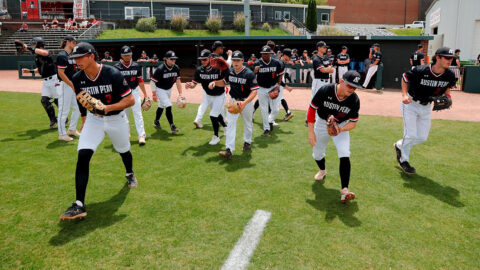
{"x": 96, "y": 127}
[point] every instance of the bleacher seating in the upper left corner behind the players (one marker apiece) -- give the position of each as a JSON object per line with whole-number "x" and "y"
{"x": 52, "y": 37}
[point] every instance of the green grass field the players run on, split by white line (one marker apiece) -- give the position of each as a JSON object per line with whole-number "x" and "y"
{"x": 191, "y": 206}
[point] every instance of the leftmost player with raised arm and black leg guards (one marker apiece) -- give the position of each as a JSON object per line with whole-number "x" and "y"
{"x": 46, "y": 69}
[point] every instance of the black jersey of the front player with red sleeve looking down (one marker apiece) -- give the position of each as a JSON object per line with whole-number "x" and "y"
{"x": 327, "y": 102}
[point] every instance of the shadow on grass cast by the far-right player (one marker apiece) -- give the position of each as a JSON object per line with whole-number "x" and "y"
{"x": 427, "y": 186}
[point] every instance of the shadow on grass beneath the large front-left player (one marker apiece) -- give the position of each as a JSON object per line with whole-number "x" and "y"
{"x": 100, "y": 215}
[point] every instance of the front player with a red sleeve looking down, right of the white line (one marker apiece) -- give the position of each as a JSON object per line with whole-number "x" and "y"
{"x": 341, "y": 102}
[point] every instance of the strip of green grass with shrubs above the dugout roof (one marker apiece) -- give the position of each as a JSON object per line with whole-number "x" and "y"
{"x": 160, "y": 33}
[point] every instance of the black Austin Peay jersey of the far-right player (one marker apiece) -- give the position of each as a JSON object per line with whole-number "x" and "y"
{"x": 423, "y": 83}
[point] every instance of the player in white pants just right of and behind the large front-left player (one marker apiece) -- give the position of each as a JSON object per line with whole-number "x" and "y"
{"x": 132, "y": 72}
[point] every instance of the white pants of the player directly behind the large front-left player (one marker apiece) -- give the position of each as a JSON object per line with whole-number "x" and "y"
{"x": 66, "y": 100}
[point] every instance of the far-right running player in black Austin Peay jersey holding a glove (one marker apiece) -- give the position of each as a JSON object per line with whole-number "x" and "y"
{"x": 419, "y": 85}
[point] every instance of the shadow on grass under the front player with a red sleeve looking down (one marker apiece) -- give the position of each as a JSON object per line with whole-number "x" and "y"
{"x": 328, "y": 200}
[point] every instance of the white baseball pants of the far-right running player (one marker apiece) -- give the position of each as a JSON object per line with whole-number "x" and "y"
{"x": 416, "y": 126}
